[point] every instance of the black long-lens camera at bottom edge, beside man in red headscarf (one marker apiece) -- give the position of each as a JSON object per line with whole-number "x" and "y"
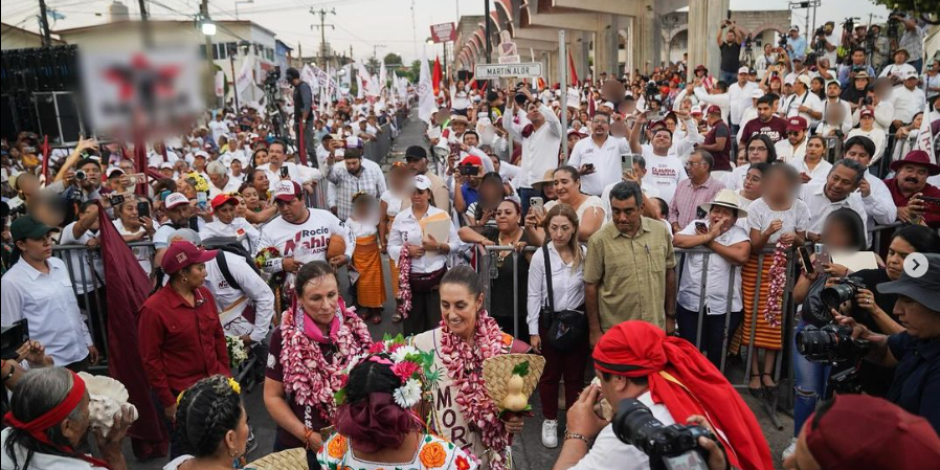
{"x": 668, "y": 447}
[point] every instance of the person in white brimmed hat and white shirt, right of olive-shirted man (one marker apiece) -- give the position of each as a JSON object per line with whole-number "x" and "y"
{"x": 729, "y": 248}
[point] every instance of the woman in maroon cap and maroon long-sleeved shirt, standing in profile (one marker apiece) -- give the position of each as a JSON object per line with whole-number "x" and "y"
{"x": 181, "y": 337}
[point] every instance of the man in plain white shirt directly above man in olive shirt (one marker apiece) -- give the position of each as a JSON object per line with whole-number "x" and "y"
{"x": 598, "y": 158}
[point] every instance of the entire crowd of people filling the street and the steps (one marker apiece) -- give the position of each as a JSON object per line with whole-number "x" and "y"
{"x": 665, "y": 236}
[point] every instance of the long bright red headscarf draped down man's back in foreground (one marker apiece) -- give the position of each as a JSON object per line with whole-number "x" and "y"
{"x": 683, "y": 379}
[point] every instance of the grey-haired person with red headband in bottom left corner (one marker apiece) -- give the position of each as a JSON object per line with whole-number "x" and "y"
{"x": 49, "y": 422}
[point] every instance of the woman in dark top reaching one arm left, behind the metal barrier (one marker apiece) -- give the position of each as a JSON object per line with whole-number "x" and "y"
{"x": 507, "y": 232}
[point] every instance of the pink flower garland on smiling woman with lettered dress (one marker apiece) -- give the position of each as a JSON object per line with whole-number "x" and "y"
{"x": 465, "y": 367}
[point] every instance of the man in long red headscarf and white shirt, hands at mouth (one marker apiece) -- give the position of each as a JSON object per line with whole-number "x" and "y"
{"x": 636, "y": 360}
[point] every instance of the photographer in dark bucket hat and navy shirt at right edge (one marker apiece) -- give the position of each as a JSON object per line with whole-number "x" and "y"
{"x": 915, "y": 353}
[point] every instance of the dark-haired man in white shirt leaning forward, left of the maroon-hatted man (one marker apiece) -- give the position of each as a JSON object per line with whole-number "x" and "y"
{"x": 837, "y": 192}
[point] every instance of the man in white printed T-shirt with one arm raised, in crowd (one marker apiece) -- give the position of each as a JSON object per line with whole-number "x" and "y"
{"x": 665, "y": 168}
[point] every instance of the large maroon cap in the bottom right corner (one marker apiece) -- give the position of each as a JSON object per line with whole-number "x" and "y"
{"x": 861, "y": 432}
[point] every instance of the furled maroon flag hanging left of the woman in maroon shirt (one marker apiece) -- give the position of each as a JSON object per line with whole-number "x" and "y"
{"x": 128, "y": 289}
